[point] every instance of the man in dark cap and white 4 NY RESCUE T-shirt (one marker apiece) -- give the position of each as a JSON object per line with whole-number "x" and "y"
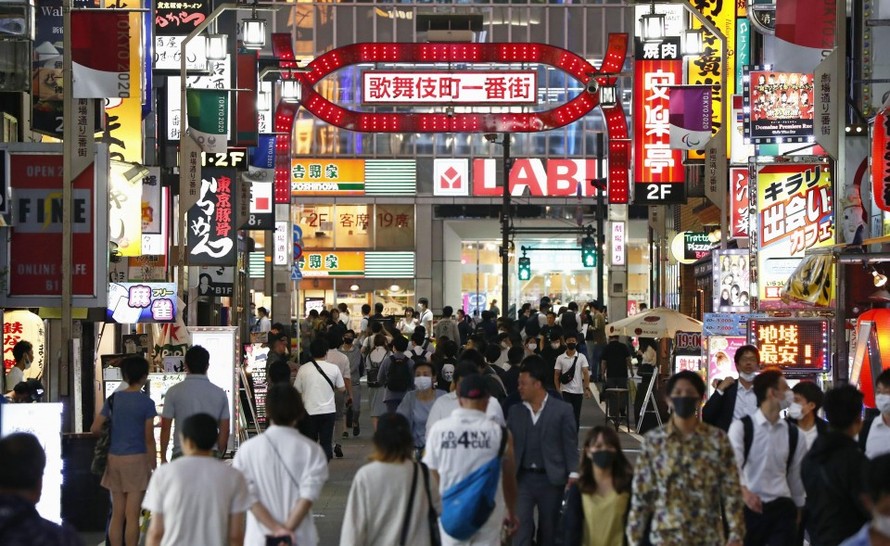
{"x": 451, "y": 460}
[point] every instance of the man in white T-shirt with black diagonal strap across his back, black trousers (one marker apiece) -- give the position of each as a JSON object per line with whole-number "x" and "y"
{"x": 318, "y": 381}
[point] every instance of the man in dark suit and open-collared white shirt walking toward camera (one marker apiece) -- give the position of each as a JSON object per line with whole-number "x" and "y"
{"x": 546, "y": 451}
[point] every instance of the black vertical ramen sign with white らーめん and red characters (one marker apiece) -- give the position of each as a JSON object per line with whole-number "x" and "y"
{"x": 211, "y": 221}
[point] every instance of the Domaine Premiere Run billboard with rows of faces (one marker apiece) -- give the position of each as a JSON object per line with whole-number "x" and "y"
{"x": 779, "y": 106}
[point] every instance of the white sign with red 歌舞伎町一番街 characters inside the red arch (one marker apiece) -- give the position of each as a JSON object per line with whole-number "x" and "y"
{"x": 442, "y": 87}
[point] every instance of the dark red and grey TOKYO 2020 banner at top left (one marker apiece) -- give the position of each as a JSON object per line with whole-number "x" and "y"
{"x": 101, "y": 60}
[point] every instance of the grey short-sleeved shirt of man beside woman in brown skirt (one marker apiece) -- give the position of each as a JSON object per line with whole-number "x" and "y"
{"x": 195, "y": 394}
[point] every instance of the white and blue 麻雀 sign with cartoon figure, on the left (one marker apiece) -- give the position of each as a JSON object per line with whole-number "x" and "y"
{"x": 129, "y": 303}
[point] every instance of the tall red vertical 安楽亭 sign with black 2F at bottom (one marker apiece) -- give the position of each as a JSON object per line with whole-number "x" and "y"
{"x": 658, "y": 170}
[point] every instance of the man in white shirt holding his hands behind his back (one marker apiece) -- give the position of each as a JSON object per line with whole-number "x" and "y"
{"x": 285, "y": 473}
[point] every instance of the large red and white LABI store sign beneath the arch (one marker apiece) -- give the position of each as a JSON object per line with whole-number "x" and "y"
{"x": 530, "y": 177}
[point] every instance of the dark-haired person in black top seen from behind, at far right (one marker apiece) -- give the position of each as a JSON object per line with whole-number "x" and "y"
{"x": 832, "y": 472}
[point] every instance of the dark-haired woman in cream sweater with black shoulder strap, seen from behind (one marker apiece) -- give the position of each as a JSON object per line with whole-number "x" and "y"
{"x": 393, "y": 499}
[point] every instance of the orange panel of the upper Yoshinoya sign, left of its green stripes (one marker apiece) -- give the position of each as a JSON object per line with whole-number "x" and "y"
{"x": 328, "y": 177}
